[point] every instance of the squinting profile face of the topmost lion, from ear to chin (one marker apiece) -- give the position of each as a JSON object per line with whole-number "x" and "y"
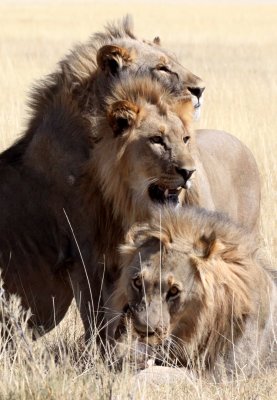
{"x": 150, "y": 59}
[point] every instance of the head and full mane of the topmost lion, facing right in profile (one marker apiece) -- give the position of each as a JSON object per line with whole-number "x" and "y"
{"x": 74, "y": 93}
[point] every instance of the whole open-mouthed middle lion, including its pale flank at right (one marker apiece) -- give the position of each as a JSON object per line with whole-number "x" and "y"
{"x": 146, "y": 155}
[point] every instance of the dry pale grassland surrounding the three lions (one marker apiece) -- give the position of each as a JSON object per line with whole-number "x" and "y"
{"x": 233, "y": 48}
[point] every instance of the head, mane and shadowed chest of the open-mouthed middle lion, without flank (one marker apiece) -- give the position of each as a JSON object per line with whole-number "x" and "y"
{"x": 142, "y": 157}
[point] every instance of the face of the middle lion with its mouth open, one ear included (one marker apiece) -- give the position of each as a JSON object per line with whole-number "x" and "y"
{"x": 145, "y": 155}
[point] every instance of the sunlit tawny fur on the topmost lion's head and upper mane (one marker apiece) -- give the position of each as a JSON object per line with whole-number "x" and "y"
{"x": 86, "y": 84}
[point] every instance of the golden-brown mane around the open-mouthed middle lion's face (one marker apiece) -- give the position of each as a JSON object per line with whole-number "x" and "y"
{"x": 112, "y": 157}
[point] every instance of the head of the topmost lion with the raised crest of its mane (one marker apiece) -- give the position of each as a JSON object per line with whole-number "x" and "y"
{"x": 107, "y": 55}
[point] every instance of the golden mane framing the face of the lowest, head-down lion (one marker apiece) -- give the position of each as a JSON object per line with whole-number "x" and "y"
{"x": 233, "y": 284}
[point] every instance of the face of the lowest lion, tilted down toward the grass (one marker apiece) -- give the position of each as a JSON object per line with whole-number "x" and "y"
{"x": 162, "y": 289}
